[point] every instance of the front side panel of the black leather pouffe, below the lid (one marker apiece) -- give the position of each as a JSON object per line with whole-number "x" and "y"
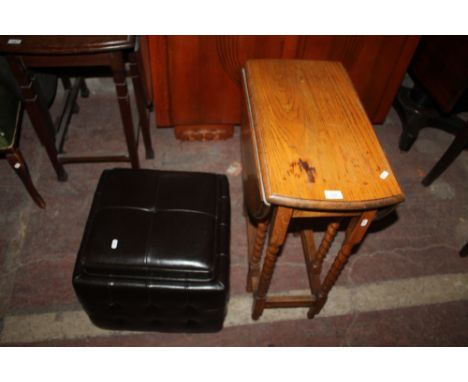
{"x": 142, "y": 306}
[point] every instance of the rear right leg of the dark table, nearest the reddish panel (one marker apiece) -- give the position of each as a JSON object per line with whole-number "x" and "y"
{"x": 143, "y": 112}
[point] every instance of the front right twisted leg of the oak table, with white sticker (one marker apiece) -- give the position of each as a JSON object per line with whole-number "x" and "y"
{"x": 354, "y": 233}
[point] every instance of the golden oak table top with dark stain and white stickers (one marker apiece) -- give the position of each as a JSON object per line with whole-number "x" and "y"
{"x": 314, "y": 144}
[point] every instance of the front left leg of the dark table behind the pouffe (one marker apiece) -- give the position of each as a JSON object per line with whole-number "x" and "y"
{"x": 38, "y": 113}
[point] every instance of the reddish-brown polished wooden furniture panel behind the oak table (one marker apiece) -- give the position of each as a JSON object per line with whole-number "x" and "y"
{"x": 196, "y": 79}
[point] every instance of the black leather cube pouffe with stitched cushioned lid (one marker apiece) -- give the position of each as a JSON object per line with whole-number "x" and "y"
{"x": 155, "y": 252}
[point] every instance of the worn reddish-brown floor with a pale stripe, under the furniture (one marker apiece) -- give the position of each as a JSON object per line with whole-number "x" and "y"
{"x": 405, "y": 286}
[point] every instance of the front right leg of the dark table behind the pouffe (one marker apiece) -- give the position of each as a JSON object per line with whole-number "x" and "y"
{"x": 120, "y": 81}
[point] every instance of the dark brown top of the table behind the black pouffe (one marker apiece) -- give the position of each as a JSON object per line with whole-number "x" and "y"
{"x": 64, "y": 44}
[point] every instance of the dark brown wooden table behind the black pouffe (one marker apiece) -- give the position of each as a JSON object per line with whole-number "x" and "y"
{"x": 120, "y": 55}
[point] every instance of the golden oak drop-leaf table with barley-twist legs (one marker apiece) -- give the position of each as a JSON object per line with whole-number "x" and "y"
{"x": 308, "y": 151}
